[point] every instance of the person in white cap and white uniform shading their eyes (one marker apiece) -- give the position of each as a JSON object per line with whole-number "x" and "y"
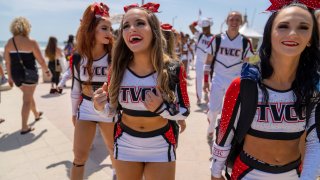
{"x": 203, "y": 39}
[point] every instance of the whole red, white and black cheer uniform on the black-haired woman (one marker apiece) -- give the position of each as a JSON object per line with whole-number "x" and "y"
{"x": 275, "y": 120}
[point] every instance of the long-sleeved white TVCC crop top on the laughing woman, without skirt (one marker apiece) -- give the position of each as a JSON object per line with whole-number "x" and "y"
{"x": 132, "y": 93}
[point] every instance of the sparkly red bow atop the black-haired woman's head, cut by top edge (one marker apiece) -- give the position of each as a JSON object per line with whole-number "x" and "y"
{"x": 278, "y": 4}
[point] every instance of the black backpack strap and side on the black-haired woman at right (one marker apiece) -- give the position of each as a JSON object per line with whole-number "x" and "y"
{"x": 248, "y": 97}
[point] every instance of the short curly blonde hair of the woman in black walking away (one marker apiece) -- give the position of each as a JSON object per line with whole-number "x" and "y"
{"x": 20, "y": 26}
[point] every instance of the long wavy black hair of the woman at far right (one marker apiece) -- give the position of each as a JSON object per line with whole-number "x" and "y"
{"x": 307, "y": 75}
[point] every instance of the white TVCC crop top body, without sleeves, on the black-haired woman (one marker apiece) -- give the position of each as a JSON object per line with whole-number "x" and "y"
{"x": 277, "y": 119}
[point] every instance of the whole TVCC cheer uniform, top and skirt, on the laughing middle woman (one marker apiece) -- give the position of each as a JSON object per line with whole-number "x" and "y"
{"x": 154, "y": 146}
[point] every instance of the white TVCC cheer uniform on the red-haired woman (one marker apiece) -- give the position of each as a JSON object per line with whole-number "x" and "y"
{"x": 82, "y": 90}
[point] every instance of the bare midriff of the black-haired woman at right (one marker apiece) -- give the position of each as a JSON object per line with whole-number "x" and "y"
{"x": 274, "y": 152}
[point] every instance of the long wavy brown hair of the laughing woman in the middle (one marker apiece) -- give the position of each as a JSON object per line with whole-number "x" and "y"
{"x": 122, "y": 55}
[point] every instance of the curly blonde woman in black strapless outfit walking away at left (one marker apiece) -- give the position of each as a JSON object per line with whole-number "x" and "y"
{"x": 22, "y": 52}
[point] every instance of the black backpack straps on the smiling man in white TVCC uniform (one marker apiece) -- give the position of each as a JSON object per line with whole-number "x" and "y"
{"x": 245, "y": 42}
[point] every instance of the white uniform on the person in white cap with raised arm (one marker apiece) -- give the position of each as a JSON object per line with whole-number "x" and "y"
{"x": 201, "y": 57}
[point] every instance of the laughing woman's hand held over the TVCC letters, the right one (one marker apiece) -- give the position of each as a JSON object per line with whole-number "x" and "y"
{"x": 153, "y": 101}
